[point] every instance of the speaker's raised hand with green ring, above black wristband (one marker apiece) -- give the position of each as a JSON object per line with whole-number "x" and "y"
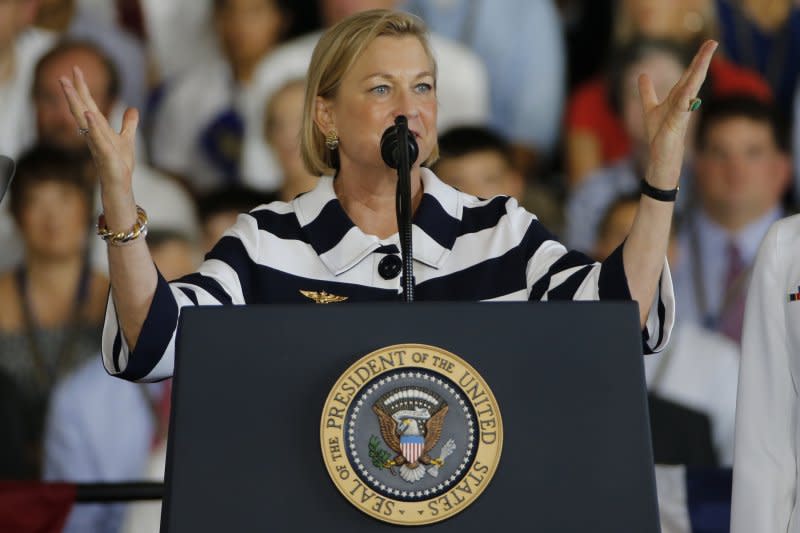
{"x": 667, "y": 121}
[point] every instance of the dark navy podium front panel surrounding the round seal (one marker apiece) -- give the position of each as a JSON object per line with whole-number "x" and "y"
{"x": 244, "y": 450}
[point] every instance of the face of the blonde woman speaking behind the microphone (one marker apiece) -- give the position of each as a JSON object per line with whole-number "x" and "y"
{"x": 393, "y": 77}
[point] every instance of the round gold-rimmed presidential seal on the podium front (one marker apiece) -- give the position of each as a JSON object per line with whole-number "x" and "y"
{"x": 411, "y": 434}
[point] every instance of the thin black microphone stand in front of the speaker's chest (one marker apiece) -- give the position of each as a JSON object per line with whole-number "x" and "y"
{"x": 403, "y": 207}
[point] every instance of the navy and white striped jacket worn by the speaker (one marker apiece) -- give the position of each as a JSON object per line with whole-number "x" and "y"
{"x": 465, "y": 249}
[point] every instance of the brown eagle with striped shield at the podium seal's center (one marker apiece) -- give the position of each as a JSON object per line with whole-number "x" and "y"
{"x": 411, "y": 421}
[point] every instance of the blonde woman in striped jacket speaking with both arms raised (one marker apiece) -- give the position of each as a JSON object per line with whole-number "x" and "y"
{"x": 339, "y": 242}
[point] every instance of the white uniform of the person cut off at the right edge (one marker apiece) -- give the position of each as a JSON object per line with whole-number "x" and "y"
{"x": 765, "y": 479}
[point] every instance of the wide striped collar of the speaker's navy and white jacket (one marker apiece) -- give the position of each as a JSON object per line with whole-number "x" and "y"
{"x": 341, "y": 245}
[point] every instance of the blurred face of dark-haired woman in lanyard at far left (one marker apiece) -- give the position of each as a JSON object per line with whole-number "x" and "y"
{"x": 53, "y": 220}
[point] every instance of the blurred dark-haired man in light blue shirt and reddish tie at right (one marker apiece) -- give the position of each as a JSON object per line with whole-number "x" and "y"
{"x": 742, "y": 172}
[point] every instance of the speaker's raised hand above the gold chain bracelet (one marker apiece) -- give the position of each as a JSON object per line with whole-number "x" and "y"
{"x": 113, "y": 153}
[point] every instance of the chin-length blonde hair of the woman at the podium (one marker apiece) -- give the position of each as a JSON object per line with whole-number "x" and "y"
{"x": 335, "y": 53}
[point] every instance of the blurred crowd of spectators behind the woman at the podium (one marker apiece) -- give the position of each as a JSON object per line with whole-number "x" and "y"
{"x": 537, "y": 100}
